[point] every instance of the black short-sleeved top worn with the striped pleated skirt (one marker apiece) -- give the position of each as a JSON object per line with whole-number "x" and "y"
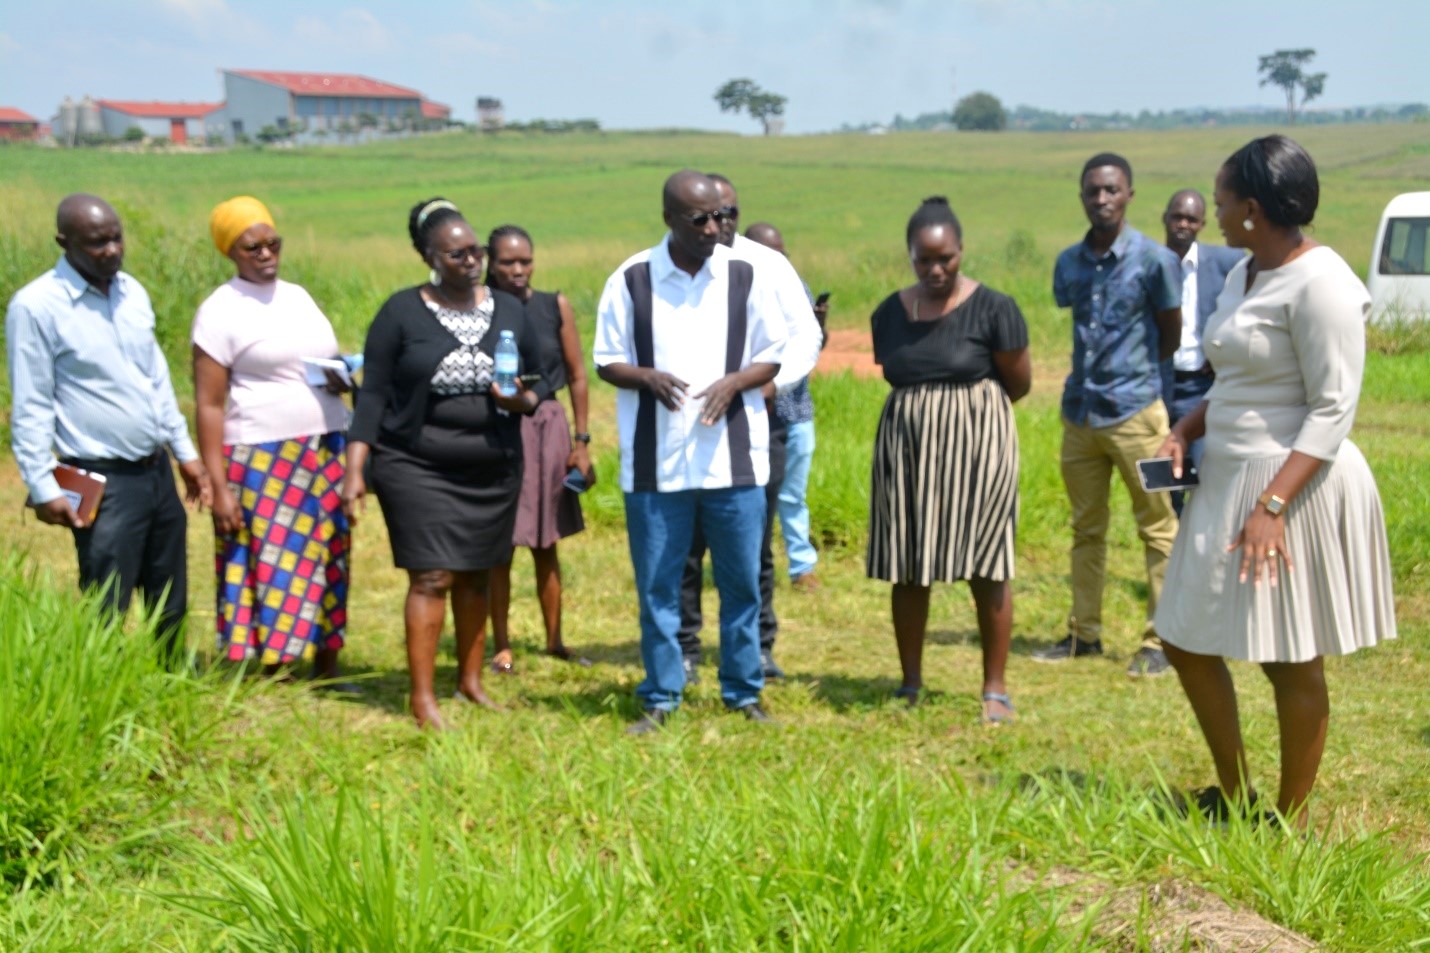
{"x": 959, "y": 347}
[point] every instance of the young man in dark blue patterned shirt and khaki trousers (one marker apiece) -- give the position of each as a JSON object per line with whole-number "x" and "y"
{"x": 1126, "y": 297}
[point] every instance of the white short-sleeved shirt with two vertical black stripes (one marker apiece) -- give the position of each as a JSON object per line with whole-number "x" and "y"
{"x": 690, "y": 324}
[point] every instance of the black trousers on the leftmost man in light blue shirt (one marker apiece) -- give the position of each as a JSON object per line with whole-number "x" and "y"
{"x": 138, "y": 542}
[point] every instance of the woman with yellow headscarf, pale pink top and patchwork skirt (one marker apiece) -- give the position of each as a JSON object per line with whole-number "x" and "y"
{"x": 280, "y": 529}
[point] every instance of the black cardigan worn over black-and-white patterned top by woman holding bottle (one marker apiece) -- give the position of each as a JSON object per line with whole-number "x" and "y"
{"x": 405, "y": 346}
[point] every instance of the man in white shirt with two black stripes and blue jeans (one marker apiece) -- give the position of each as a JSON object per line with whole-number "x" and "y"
{"x": 690, "y": 336}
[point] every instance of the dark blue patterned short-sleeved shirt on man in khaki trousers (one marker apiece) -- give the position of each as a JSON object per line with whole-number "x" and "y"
{"x": 1115, "y": 298}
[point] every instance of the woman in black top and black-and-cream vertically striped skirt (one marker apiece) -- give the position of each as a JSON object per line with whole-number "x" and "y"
{"x": 945, "y": 500}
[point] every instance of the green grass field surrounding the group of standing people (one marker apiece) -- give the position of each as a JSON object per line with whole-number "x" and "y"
{"x": 141, "y": 811}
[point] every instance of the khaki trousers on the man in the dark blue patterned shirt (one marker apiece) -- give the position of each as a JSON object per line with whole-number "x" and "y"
{"x": 1089, "y": 457}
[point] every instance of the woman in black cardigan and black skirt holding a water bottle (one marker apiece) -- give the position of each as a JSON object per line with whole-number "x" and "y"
{"x": 445, "y": 446}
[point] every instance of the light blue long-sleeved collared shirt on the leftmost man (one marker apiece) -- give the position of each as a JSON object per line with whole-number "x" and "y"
{"x": 88, "y": 378}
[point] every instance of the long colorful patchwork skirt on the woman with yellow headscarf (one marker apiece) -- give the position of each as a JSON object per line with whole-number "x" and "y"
{"x": 284, "y": 577}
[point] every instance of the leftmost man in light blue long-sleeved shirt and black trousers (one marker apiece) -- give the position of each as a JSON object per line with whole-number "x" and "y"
{"x": 92, "y": 387}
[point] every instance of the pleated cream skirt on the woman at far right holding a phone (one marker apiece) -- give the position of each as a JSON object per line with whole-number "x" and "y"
{"x": 1339, "y": 597}
